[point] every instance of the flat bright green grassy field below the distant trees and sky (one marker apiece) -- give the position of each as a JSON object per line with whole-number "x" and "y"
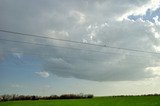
{"x": 98, "y": 101}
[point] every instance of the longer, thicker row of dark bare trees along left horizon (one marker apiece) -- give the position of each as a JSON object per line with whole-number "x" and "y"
{"x": 15, "y": 97}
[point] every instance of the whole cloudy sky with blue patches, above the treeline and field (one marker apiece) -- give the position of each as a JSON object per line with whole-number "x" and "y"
{"x": 60, "y": 67}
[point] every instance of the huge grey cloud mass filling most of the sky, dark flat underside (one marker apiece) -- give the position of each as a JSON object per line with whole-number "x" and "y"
{"x": 85, "y": 21}
